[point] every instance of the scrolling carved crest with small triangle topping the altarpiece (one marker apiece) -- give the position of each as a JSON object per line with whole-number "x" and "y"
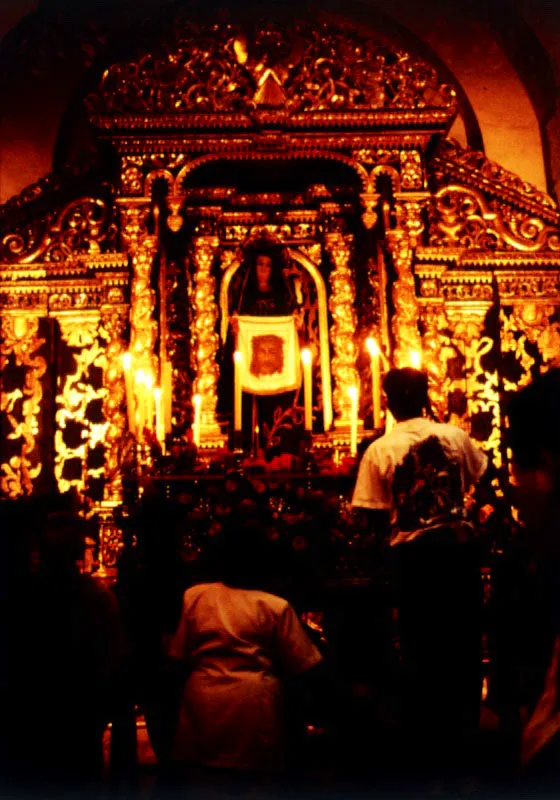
{"x": 304, "y": 67}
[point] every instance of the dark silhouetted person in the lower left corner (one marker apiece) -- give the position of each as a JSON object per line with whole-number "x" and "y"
{"x": 65, "y": 652}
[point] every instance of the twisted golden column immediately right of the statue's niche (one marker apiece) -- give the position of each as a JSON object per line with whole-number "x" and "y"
{"x": 343, "y": 329}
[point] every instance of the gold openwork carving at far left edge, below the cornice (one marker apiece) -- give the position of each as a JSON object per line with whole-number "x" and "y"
{"x": 20, "y": 338}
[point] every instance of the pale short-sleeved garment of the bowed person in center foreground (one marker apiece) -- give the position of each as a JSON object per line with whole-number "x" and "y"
{"x": 238, "y": 643}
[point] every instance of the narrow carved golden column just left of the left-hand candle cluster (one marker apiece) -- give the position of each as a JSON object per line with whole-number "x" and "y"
{"x": 113, "y": 321}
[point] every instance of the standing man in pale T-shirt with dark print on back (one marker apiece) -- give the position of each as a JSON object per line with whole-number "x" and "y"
{"x": 415, "y": 478}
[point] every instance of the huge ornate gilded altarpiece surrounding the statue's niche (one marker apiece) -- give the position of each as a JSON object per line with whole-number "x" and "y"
{"x": 332, "y": 145}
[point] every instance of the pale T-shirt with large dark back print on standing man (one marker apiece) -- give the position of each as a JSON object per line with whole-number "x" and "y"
{"x": 419, "y": 472}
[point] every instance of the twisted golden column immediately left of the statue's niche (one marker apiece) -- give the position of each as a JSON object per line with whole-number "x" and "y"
{"x": 205, "y": 338}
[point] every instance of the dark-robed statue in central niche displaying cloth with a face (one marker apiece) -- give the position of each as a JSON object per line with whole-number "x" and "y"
{"x": 267, "y": 324}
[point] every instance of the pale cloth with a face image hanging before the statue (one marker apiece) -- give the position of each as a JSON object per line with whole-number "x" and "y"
{"x": 269, "y": 354}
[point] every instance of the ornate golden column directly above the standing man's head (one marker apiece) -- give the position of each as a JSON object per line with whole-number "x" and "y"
{"x": 401, "y": 242}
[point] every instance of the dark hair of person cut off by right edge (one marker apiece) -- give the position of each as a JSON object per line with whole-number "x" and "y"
{"x": 534, "y": 421}
